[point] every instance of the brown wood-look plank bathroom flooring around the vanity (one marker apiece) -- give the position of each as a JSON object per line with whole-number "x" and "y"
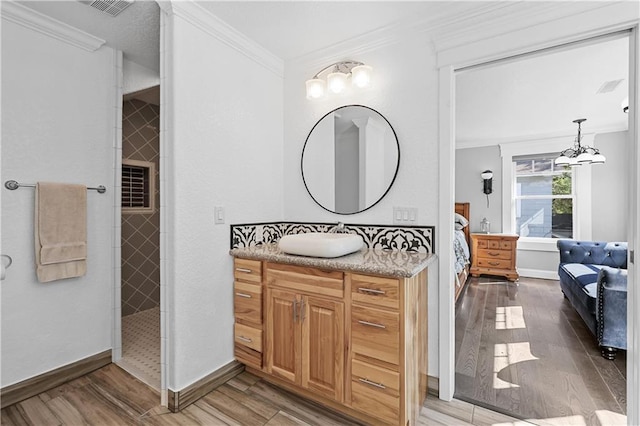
{"x": 111, "y": 396}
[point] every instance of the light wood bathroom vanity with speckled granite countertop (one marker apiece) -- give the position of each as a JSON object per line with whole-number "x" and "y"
{"x": 348, "y": 332}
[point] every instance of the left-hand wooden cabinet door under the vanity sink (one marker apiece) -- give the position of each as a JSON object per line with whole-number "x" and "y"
{"x": 283, "y": 335}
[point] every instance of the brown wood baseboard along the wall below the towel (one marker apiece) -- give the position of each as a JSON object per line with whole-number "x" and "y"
{"x": 25, "y": 389}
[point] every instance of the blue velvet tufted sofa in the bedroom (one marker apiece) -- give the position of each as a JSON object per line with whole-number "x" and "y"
{"x": 593, "y": 277}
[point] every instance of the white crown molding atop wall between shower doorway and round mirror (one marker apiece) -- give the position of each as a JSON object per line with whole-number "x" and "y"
{"x": 201, "y": 18}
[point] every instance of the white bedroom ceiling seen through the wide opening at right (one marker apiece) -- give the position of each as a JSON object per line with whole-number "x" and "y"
{"x": 540, "y": 95}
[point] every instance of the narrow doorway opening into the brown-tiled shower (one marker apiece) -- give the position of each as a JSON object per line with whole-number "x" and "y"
{"x": 140, "y": 236}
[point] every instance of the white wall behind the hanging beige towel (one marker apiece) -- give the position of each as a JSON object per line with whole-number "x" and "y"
{"x": 58, "y": 124}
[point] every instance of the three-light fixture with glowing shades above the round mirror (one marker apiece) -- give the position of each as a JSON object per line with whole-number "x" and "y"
{"x": 337, "y": 76}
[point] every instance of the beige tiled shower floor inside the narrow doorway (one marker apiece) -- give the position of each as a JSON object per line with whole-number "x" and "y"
{"x": 141, "y": 346}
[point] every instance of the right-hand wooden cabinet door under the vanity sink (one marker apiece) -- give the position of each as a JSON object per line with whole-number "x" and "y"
{"x": 323, "y": 346}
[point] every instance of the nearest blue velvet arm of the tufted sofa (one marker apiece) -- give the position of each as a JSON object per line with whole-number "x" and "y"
{"x": 612, "y": 308}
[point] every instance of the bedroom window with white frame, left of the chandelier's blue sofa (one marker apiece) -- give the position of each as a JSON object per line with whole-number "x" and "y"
{"x": 544, "y": 197}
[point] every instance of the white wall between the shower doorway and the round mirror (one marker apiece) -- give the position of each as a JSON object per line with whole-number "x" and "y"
{"x": 225, "y": 149}
